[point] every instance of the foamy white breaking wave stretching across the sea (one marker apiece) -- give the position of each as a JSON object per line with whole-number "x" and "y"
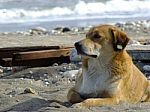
{"x": 82, "y": 10}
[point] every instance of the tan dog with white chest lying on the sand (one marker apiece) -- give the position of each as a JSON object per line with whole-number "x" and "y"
{"x": 108, "y": 74}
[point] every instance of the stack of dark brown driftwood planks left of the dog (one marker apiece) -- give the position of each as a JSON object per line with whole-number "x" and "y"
{"x": 36, "y": 56}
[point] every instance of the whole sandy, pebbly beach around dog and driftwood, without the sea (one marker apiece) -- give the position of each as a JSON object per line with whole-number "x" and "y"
{"x": 44, "y": 89}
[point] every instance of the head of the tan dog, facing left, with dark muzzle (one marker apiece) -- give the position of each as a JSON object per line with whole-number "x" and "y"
{"x": 102, "y": 39}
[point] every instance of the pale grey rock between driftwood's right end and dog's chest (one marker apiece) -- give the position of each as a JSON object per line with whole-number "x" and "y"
{"x": 74, "y": 57}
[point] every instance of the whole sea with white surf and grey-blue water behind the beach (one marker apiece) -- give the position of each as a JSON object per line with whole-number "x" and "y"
{"x": 22, "y": 15}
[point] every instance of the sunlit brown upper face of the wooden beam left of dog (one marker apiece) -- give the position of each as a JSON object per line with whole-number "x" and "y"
{"x": 41, "y": 54}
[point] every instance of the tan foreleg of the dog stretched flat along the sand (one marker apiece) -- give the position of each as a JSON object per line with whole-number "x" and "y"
{"x": 97, "y": 102}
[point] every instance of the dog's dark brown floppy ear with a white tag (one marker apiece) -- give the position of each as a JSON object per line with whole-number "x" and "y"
{"x": 120, "y": 39}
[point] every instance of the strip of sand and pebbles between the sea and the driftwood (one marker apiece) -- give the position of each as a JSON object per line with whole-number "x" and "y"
{"x": 136, "y": 30}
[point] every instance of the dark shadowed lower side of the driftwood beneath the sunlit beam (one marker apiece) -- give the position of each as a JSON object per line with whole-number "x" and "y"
{"x": 8, "y": 62}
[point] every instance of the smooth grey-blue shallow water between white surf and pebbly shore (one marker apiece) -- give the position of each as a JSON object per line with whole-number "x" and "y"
{"x": 50, "y": 25}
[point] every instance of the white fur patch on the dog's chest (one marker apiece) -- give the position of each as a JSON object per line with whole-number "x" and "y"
{"x": 95, "y": 79}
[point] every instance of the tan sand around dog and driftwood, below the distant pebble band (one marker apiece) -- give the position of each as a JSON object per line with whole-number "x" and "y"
{"x": 48, "y": 87}
